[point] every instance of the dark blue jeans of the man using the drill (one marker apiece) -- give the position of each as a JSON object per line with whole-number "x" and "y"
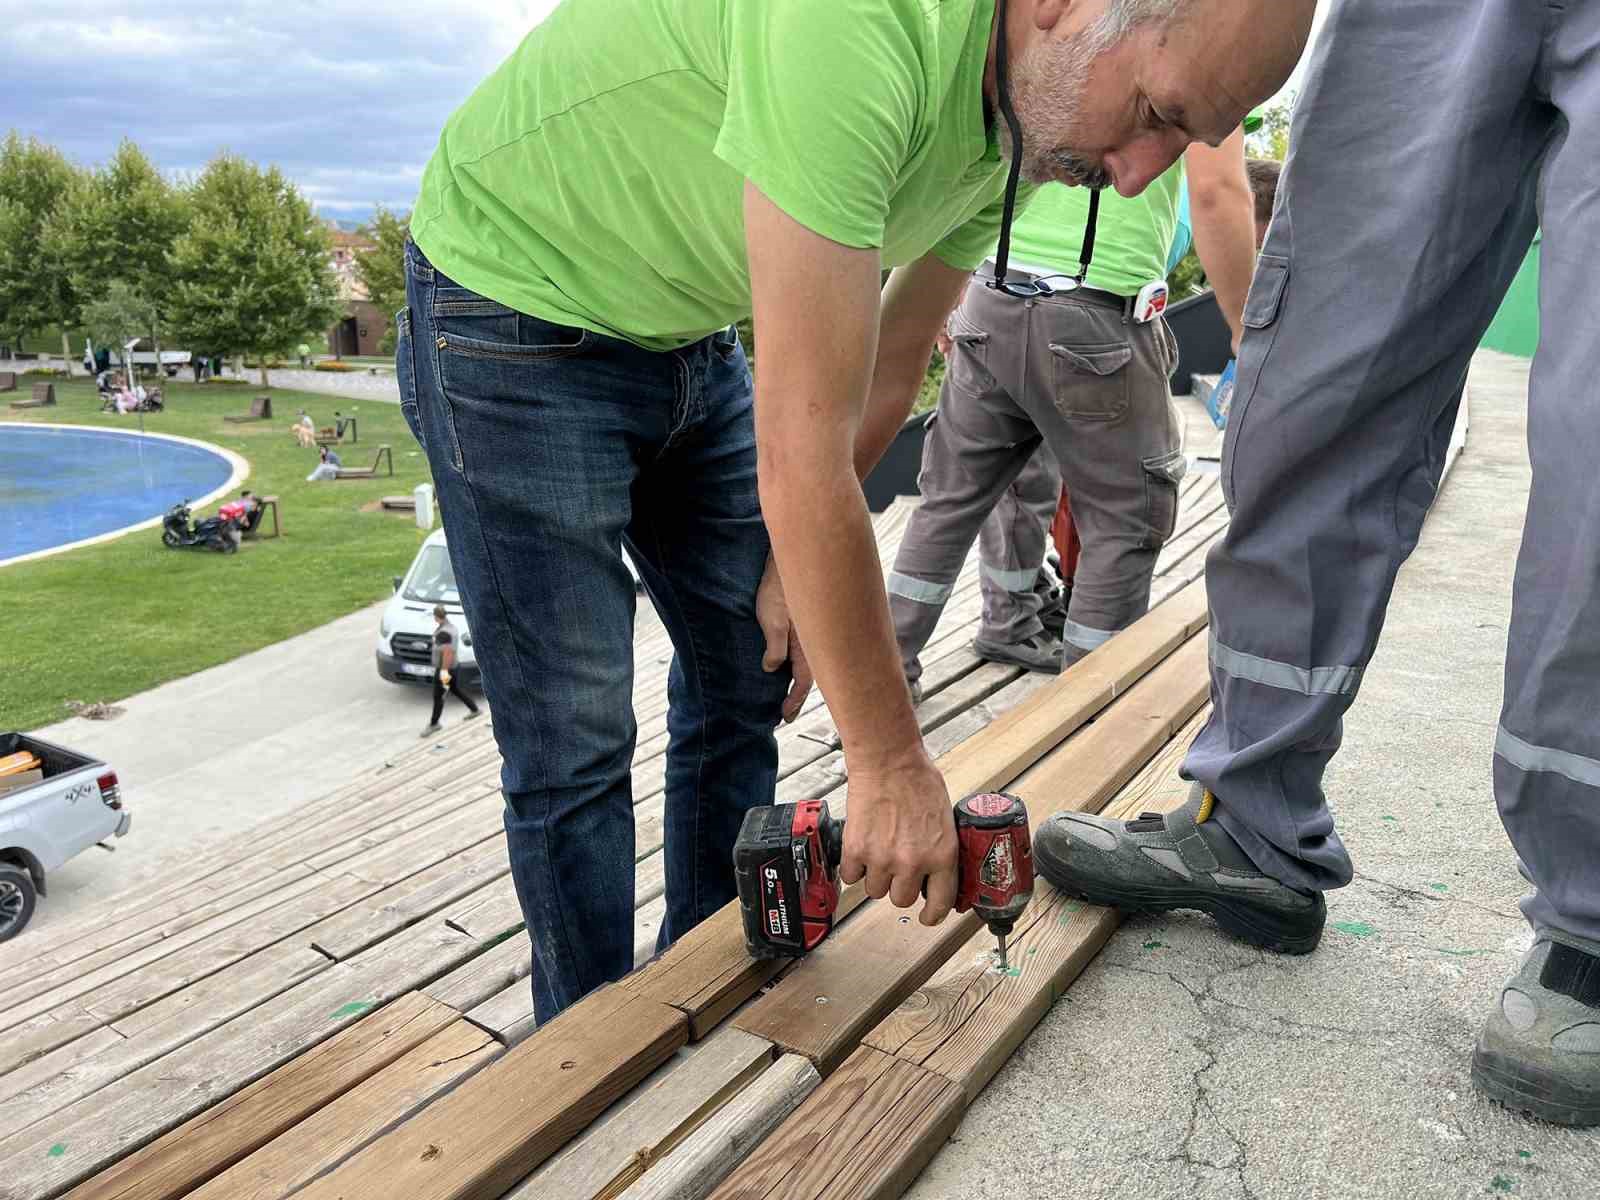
{"x": 553, "y": 449}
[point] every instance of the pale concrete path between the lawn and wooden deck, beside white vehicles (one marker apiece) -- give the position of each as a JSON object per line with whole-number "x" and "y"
{"x": 217, "y": 753}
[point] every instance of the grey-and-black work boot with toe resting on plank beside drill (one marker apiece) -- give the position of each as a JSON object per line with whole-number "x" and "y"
{"x": 1180, "y": 860}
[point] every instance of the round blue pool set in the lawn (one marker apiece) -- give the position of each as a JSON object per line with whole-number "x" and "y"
{"x": 62, "y": 486}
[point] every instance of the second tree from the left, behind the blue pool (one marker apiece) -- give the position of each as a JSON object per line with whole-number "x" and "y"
{"x": 122, "y": 226}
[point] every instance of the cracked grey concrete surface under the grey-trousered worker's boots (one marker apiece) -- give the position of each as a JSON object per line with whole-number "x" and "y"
{"x": 1188, "y": 1066}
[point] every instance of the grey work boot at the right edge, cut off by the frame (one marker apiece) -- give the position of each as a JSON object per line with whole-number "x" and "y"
{"x": 1540, "y": 1050}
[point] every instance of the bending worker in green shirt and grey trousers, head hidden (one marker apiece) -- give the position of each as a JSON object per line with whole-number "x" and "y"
{"x": 1066, "y": 388}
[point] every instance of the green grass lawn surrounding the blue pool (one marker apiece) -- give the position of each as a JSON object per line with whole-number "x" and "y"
{"x": 118, "y": 618}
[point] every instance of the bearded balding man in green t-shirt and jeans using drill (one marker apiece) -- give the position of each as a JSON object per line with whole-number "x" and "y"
{"x": 636, "y": 178}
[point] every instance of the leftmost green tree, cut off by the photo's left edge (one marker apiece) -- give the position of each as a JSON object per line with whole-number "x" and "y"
{"x": 36, "y": 287}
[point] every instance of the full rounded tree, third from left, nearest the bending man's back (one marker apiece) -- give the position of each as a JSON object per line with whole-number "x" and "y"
{"x": 252, "y": 270}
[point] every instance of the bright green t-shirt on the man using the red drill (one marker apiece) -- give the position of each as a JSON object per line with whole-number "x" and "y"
{"x": 598, "y": 177}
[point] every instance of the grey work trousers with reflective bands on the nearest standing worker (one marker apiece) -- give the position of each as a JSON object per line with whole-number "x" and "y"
{"x": 1430, "y": 143}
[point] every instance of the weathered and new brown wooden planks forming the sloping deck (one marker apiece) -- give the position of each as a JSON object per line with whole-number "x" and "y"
{"x": 338, "y": 1006}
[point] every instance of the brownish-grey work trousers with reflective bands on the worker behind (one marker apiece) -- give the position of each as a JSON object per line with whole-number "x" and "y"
{"x": 1078, "y": 377}
